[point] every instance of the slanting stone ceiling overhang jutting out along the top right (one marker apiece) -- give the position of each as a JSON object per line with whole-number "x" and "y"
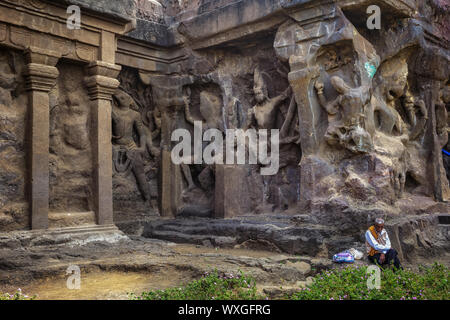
{"x": 240, "y": 18}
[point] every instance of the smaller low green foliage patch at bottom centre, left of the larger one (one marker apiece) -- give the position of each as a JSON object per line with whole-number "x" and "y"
{"x": 212, "y": 286}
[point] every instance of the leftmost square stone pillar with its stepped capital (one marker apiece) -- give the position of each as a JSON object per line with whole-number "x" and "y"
{"x": 40, "y": 75}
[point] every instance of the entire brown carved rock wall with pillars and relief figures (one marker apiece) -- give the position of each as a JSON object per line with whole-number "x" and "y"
{"x": 362, "y": 114}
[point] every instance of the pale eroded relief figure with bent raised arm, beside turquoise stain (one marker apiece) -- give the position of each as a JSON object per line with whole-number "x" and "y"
{"x": 346, "y": 116}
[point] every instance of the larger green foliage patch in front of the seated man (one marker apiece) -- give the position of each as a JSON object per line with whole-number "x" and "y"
{"x": 431, "y": 283}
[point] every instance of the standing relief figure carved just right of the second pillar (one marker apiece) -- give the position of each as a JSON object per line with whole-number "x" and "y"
{"x": 127, "y": 154}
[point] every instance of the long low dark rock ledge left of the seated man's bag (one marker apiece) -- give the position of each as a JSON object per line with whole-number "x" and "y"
{"x": 294, "y": 238}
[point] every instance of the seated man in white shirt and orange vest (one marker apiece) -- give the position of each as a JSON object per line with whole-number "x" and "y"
{"x": 379, "y": 246}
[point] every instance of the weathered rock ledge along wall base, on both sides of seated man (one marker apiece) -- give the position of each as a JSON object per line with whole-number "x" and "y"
{"x": 415, "y": 237}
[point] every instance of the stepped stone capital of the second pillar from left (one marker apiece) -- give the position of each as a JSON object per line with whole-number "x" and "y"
{"x": 101, "y": 81}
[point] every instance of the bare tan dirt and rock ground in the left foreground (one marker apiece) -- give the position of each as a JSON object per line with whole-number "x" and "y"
{"x": 134, "y": 266}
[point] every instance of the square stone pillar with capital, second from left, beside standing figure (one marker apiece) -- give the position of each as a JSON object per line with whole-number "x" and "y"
{"x": 101, "y": 84}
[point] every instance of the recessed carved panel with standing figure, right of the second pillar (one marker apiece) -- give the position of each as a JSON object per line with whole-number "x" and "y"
{"x": 136, "y": 124}
